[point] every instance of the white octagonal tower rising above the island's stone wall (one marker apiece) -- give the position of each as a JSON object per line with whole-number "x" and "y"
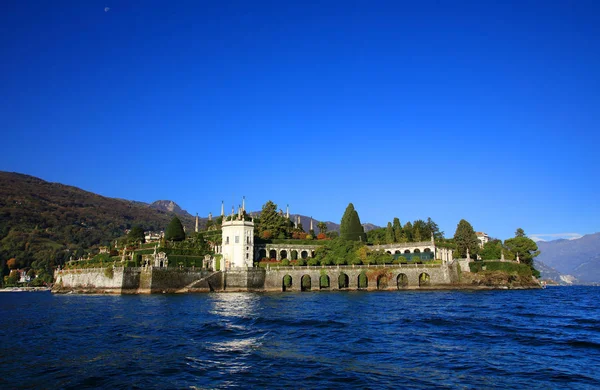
{"x": 238, "y": 242}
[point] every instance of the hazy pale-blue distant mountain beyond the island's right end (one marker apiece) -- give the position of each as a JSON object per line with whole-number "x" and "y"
{"x": 579, "y": 258}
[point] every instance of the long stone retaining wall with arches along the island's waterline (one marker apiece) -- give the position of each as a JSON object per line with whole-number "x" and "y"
{"x": 174, "y": 280}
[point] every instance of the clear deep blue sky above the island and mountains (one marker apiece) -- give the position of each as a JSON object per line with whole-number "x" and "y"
{"x": 482, "y": 110}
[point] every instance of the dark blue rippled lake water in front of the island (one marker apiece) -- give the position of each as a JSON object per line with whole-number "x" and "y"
{"x": 489, "y": 339}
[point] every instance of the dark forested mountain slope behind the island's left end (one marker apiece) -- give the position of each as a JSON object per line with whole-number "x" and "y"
{"x": 43, "y": 220}
